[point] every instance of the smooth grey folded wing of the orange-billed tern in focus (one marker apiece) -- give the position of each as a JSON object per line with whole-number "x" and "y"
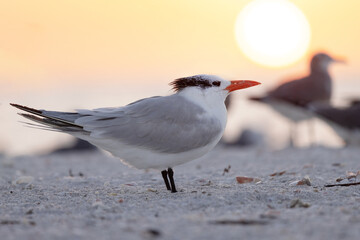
{"x": 166, "y": 124}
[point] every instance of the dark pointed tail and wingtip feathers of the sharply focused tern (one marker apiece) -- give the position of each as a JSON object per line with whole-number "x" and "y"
{"x": 46, "y": 120}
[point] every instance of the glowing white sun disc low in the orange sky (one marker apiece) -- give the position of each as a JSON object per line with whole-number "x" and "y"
{"x": 272, "y": 33}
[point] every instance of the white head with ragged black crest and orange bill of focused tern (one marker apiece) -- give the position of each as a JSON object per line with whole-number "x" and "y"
{"x": 210, "y": 85}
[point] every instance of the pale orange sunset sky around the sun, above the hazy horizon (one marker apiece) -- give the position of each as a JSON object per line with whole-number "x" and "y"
{"x": 46, "y": 42}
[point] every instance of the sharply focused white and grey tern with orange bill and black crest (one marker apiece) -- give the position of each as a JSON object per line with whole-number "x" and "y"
{"x": 153, "y": 133}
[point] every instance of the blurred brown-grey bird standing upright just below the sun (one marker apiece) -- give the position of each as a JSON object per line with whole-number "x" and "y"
{"x": 293, "y": 98}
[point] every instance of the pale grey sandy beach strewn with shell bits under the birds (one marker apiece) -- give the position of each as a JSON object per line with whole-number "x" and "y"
{"x": 39, "y": 200}
